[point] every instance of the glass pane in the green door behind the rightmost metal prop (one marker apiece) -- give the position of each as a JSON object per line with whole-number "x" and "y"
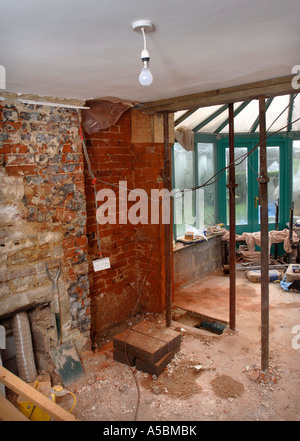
{"x": 273, "y": 186}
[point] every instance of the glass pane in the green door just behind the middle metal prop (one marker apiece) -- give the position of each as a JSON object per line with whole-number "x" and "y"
{"x": 241, "y": 191}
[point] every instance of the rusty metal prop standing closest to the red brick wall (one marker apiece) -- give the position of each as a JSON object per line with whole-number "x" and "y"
{"x": 168, "y": 225}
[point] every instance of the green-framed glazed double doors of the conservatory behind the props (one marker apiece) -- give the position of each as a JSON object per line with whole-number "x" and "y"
{"x": 247, "y": 191}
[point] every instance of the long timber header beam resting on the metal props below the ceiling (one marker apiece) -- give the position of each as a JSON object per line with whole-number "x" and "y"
{"x": 268, "y": 88}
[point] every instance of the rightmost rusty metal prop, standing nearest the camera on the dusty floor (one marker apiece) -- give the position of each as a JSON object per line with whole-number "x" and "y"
{"x": 264, "y": 229}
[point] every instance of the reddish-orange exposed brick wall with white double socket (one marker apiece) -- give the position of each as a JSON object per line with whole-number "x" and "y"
{"x": 114, "y": 292}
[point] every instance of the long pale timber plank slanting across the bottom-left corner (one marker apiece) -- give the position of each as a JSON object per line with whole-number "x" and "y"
{"x": 25, "y": 390}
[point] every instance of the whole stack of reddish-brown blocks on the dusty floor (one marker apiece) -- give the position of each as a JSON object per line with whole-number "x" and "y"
{"x": 146, "y": 346}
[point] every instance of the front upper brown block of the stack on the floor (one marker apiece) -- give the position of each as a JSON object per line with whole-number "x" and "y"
{"x": 140, "y": 346}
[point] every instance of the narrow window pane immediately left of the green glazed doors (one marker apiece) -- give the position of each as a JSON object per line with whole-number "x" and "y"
{"x": 207, "y": 196}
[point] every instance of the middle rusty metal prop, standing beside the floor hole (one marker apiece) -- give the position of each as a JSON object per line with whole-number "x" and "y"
{"x": 232, "y": 230}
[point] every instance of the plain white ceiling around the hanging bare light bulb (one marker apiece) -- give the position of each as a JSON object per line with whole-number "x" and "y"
{"x": 86, "y": 48}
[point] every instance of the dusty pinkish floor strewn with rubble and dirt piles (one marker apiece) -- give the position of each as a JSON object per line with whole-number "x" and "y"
{"x": 227, "y": 385}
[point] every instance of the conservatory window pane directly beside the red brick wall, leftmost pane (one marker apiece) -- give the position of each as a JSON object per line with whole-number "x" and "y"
{"x": 184, "y": 179}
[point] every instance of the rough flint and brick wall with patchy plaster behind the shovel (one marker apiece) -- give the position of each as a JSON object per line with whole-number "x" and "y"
{"x": 43, "y": 213}
